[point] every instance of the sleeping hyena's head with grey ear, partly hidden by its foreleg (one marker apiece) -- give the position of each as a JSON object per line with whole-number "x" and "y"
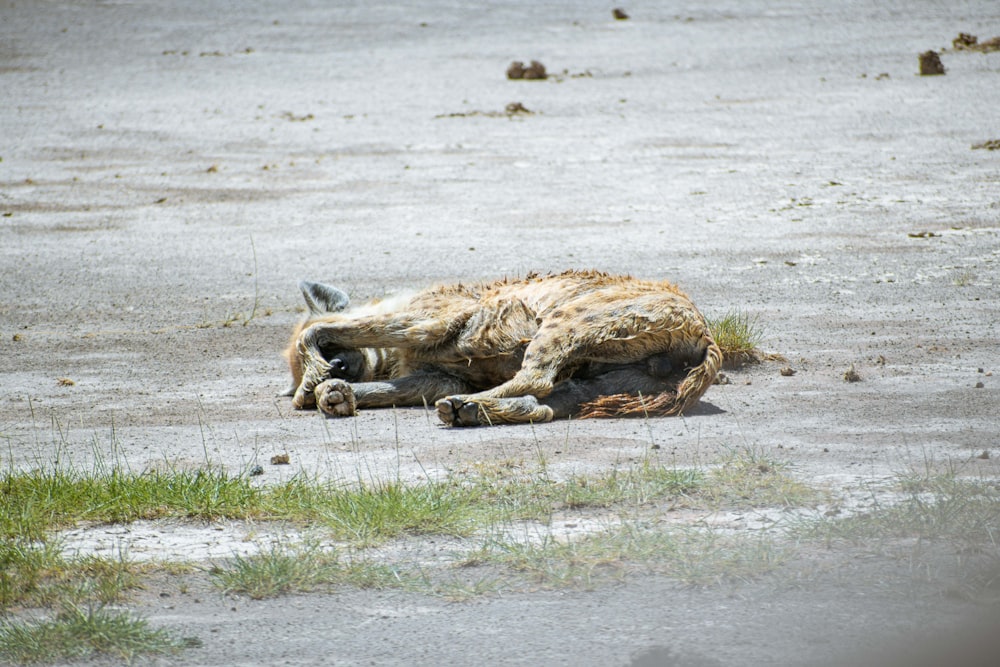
{"x": 347, "y": 364}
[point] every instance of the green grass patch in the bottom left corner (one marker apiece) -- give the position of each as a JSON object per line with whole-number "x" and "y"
{"x": 78, "y": 632}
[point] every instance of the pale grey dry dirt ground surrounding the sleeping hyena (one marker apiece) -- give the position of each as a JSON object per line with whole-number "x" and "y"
{"x": 170, "y": 171}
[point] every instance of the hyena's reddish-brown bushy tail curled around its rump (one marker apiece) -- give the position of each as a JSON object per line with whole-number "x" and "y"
{"x": 667, "y": 403}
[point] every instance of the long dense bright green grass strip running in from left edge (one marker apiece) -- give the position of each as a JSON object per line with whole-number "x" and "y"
{"x": 36, "y": 502}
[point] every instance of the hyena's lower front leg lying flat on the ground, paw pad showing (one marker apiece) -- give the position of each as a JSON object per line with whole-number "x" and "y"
{"x": 338, "y": 398}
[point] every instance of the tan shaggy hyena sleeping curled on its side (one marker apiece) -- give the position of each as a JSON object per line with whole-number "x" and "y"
{"x": 576, "y": 344}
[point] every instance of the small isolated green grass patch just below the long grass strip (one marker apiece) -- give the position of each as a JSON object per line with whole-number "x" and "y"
{"x": 281, "y": 569}
